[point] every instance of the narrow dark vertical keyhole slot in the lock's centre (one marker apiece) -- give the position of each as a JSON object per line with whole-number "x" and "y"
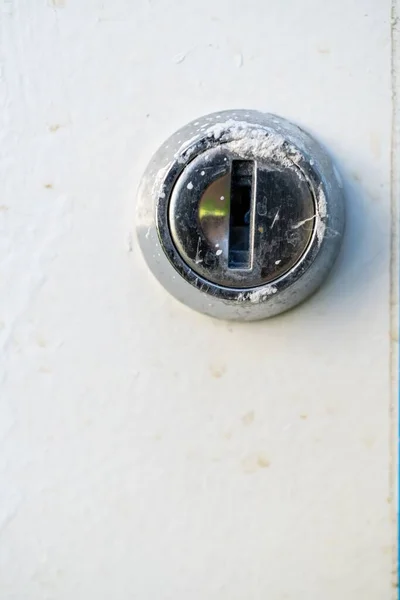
{"x": 242, "y": 175}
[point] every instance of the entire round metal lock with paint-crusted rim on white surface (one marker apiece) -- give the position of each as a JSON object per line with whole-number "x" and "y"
{"x": 240, "y": 215}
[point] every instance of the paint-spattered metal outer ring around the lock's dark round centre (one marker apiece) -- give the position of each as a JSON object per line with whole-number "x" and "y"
{"x": 250, "y": 135}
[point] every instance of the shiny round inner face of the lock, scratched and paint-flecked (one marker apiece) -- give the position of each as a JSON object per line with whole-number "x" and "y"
{"x": 241, "y": 229}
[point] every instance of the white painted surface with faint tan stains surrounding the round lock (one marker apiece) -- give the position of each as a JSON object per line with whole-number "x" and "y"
{"x": 146, "y": 451}
